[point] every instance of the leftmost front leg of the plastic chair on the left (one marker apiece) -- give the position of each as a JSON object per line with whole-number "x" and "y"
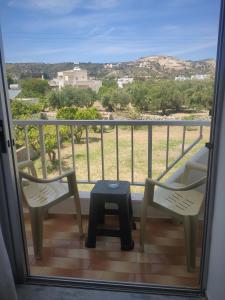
{"x": 37, "y": 217}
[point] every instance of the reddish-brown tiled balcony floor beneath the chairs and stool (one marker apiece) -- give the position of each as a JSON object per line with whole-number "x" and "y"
{"x": 64, "y": 254}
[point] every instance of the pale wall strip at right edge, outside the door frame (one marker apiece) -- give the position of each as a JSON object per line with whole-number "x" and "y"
{"x": 216, "y": 277}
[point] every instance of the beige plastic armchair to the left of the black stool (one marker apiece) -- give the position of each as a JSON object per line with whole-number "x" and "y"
{"x": 41, "y": 194}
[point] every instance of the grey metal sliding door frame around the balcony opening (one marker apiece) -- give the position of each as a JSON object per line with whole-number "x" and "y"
{"x": 12, "y": 222}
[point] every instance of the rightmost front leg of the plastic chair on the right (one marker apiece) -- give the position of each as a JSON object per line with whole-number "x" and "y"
{"x": 190, "y": 230}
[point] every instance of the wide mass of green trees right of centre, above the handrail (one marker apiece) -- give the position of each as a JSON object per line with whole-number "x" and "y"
{"x": 159, "y": 95}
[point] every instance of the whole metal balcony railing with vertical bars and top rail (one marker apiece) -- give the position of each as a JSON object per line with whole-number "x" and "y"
{"x": 149, "y": 124}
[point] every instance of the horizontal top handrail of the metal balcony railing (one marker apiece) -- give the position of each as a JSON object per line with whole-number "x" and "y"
{"x": 114, "y": 122}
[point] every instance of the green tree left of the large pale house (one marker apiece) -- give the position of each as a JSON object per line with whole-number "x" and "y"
{"x": 34, "y": 88}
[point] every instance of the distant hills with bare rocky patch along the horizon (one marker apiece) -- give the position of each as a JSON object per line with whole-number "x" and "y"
{"x": 145, "y": 67}
